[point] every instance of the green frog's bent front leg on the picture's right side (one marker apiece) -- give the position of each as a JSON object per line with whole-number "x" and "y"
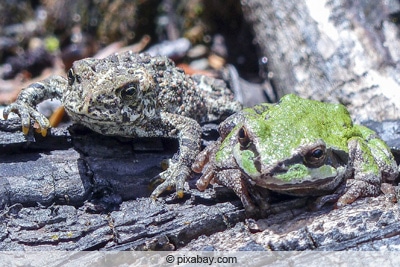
{"x": 366, "y": 171}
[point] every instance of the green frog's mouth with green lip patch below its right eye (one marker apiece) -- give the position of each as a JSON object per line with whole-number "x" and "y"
{"x": 300, "y": 180}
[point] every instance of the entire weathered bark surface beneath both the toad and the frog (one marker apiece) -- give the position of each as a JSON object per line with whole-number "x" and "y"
{"x": 97, "y": 198}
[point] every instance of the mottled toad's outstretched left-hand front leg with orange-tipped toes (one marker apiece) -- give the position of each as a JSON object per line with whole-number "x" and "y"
{"x": 25, "y": 105}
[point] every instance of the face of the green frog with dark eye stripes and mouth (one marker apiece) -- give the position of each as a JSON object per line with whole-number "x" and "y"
{"x": 310, "y": 168}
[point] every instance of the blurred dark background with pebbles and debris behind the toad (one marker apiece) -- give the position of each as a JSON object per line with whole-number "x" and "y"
{"x": 41, "y": 38}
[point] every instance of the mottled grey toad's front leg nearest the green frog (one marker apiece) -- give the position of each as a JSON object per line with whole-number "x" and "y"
{"x": 188, "y": 132}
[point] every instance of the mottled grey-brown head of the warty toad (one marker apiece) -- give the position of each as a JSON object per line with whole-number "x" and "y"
{"x": 117, "y": 89}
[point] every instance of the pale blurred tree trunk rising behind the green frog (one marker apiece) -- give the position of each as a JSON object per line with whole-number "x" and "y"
{"x": 333, "y": 50}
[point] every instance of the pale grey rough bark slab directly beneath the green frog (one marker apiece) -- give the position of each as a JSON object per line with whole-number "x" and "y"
{"x": 368, "y": 224}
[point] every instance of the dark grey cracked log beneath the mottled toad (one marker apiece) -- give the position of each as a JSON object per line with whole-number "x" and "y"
{"x": 86, "y": 191}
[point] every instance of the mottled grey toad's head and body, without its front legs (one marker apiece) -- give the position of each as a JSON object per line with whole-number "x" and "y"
{"x": 132, "y": 89}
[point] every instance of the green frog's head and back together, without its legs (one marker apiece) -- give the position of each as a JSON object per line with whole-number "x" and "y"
{"x": 296, "y": 147}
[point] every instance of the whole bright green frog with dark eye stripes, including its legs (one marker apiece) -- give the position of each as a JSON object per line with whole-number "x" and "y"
{"x": 297, "y": 147}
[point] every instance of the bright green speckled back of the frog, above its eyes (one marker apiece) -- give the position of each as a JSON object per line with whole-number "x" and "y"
{"x": 295, "y": 121}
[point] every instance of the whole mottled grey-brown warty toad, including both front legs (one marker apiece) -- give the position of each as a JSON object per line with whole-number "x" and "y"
{"x": 134, "y": 95}
